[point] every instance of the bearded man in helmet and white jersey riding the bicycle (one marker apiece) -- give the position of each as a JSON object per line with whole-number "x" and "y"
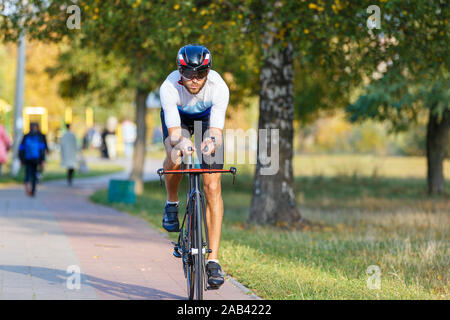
{"x": 194, "y": 93}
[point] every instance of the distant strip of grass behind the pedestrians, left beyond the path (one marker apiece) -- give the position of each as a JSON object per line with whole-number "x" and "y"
{"x": 54, "y": 171}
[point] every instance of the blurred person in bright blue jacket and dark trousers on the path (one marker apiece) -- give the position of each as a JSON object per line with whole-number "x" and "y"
{"x": 32, "y": 151}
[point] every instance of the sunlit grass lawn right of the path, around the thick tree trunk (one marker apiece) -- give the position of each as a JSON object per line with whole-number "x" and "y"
{"x": 371, "y": 212}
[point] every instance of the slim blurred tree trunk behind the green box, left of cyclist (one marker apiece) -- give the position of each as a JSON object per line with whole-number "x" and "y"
{"x": 139, "y": 145}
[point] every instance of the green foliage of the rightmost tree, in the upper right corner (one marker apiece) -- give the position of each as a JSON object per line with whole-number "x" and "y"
{"x": 414, "y": 63}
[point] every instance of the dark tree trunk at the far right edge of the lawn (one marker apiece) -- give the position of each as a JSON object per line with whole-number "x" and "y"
{"x": 437, "y": 143}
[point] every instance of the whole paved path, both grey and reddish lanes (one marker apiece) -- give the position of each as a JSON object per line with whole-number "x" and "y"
{"x": 120, "y": 256}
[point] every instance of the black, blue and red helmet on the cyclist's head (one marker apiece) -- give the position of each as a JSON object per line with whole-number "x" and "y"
{"x": 194, "y": 60}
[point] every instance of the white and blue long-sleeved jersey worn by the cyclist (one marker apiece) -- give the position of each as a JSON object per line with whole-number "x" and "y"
{"x": 212, "y": 100}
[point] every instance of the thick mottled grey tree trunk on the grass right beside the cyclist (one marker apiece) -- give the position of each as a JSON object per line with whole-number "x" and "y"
{"x": 273, "y": 199}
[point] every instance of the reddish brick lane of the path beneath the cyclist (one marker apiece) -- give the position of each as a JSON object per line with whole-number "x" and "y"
{"x": 121, "y": 255}
